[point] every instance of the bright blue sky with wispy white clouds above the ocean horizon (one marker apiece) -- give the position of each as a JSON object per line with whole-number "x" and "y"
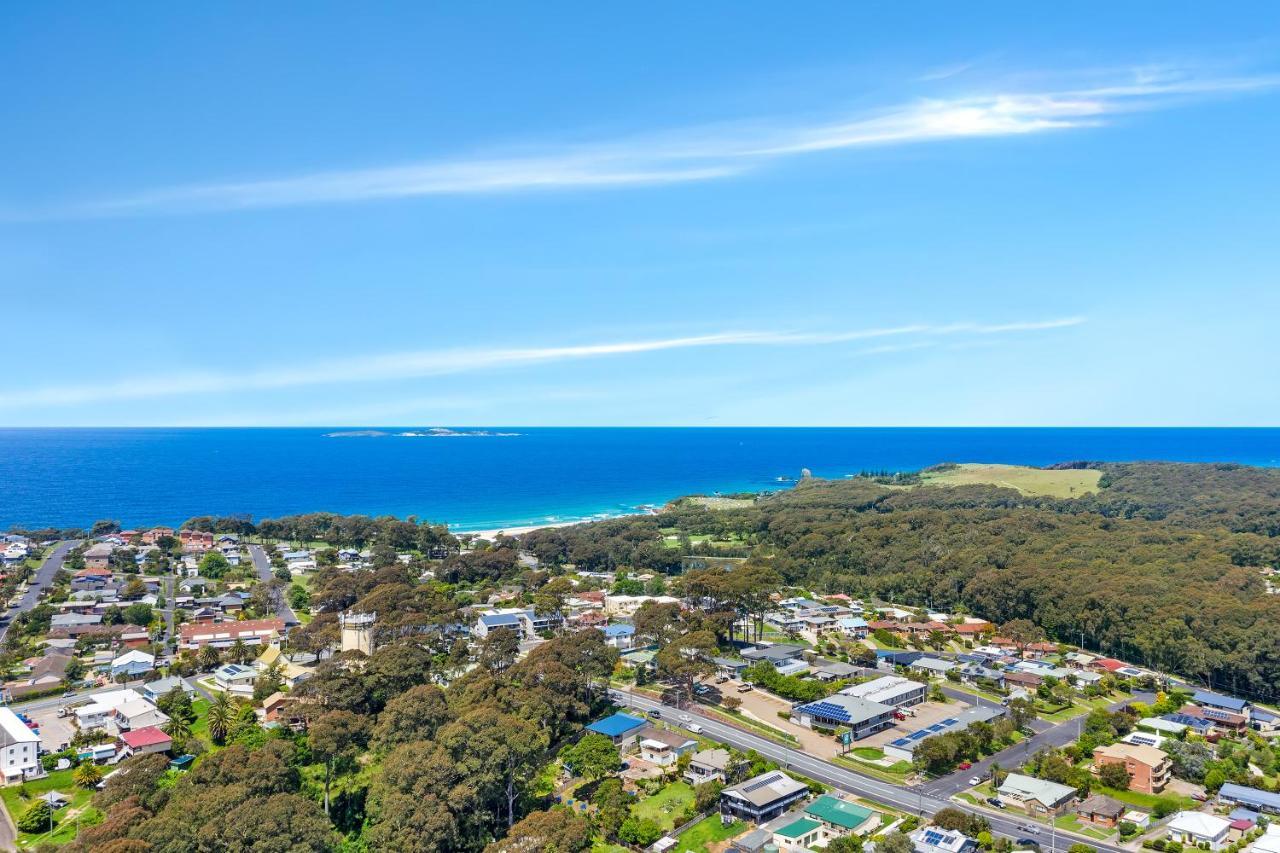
{"x": 707, "y": 215}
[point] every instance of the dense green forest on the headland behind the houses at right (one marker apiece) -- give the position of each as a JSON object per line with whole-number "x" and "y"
{"x": 1165, "y": 565}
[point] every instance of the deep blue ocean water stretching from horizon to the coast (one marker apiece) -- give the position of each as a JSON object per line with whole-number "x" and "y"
{"x": 75, "y": 477}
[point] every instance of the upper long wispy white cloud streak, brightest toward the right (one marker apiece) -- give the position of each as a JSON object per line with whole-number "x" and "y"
{"x": 694, "y": 153}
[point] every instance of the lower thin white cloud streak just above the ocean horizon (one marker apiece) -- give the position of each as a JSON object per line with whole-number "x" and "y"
{"x": 438, "y": 363}
